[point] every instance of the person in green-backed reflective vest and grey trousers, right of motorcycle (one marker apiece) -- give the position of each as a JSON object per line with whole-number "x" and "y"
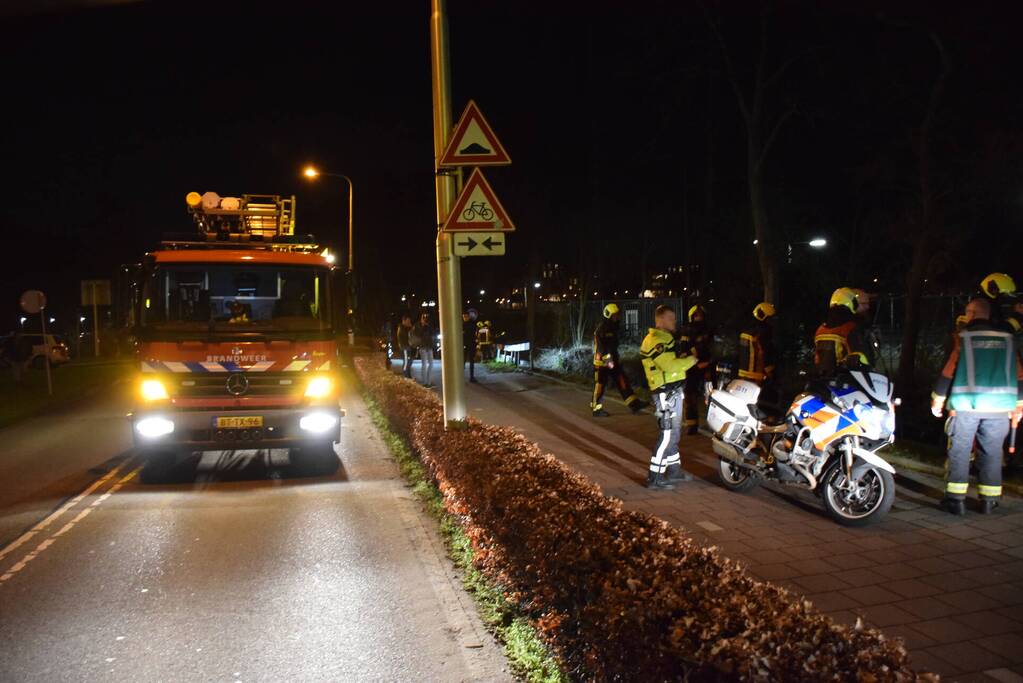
{"x": 983, "y": 382}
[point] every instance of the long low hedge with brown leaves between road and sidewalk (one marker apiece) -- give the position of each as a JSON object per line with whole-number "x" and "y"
{"x": 618, "y": 596}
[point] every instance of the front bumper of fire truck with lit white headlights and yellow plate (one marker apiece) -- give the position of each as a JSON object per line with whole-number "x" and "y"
{"x": 185, "y": 430}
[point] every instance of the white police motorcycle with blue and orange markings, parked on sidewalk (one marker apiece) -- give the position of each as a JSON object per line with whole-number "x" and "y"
{"x": 828, "y": 442}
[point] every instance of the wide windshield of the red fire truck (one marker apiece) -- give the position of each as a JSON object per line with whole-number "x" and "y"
{"x": 236, "y": 299}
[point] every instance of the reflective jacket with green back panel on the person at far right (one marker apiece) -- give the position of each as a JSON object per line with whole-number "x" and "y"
{"x": 984, "y": 374}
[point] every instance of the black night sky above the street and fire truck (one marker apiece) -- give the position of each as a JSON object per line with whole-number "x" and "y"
{"x": 628, "y": 146}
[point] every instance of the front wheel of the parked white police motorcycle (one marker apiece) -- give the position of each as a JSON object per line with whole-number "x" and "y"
{"x": 865, "y": 500}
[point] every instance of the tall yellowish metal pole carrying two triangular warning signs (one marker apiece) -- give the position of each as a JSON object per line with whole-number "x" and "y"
{"x": 449, "y": 266}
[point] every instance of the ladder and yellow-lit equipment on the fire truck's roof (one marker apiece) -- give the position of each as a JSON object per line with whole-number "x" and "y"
{"x": 252, "y": 221}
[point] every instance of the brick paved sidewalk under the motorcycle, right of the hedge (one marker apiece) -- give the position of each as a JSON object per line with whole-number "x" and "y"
{"x": 951, "y": 587}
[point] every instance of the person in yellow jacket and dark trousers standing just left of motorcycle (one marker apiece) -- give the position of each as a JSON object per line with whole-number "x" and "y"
{"x": 665, "y": 365}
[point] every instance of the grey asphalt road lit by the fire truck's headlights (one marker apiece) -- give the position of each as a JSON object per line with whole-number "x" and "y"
{"x": 243, "y": 570}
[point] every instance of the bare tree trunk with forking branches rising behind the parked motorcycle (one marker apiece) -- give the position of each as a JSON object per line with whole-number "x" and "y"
{"x": 763, "y": 128}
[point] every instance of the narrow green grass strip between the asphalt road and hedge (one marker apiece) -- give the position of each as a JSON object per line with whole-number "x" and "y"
{"x": 529, "y": 658}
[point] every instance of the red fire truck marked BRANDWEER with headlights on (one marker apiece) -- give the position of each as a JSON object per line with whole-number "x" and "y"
{"x": 237, "y": 340}
